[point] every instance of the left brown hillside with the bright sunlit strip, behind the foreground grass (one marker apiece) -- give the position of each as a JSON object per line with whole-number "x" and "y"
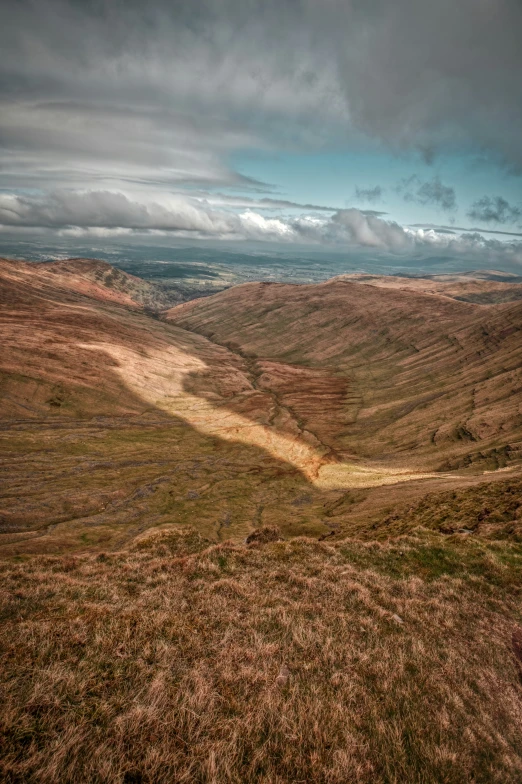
{"x": 112, "y": 422}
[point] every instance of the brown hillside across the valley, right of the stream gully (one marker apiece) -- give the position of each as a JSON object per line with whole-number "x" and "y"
{"x": 415, "y": 373}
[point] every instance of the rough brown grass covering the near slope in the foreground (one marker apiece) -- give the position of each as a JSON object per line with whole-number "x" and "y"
{"x": 289, "y": 661}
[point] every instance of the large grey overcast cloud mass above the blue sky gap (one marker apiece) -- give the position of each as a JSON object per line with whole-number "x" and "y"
{"x": 166, "y": 90}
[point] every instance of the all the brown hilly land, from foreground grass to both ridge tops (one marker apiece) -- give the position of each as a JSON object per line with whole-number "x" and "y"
{"x": 273, "y": 535}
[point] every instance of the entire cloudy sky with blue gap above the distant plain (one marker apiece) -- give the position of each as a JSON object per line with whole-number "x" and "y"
{"x": 391, "y": 125}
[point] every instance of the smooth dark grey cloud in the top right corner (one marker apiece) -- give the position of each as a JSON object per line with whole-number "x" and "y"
{"x": 436, "y": 75}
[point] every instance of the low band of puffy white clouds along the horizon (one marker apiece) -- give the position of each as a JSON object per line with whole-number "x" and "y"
{"x": 106, "y": 214}
